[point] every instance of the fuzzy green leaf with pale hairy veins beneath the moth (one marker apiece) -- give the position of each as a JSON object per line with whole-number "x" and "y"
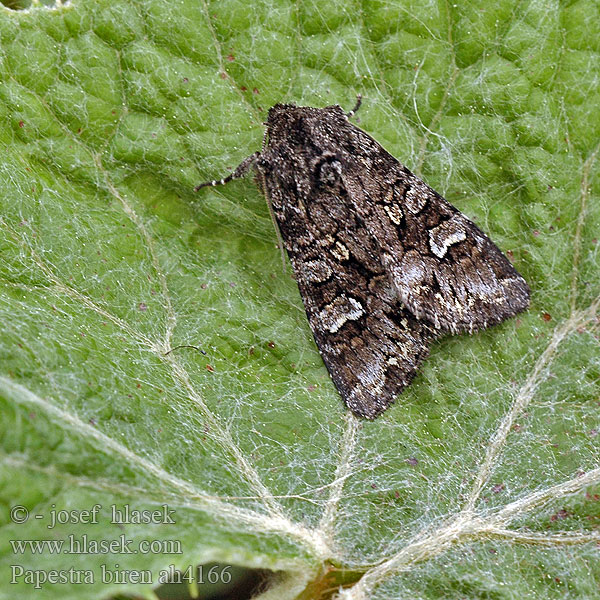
{"x": 483, "y": 479}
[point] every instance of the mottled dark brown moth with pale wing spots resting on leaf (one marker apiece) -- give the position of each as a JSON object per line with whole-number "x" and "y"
{"x": 384, "y": 264}
